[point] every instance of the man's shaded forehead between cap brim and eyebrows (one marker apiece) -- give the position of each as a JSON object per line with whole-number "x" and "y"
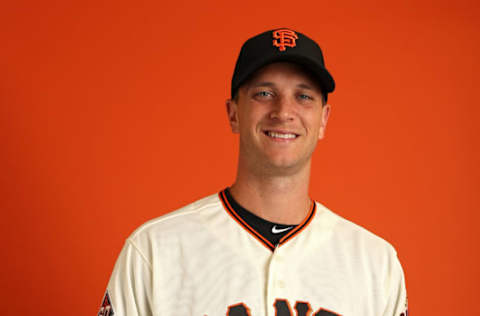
{"x": 283, "y": 72}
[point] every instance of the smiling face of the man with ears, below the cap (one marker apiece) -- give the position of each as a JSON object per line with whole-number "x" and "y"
{"x": 280, "y": 116}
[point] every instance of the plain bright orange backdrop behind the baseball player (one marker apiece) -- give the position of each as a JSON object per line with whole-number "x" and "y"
{"x": 112, "y": 113}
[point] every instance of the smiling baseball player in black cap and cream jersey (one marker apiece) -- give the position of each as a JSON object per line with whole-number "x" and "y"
{"x": 262, "y": 246}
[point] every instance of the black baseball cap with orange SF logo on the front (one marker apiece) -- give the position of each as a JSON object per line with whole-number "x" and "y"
{"x": 279, "y": 45}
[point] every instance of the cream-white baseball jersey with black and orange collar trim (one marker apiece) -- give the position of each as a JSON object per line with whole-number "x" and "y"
{"x": 203, "y": 260}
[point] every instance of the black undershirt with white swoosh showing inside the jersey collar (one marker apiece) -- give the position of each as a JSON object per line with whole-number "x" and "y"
{"x": 273, "y": 232}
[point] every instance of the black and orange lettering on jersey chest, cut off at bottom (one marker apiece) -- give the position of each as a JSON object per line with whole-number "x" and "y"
{"x": 282, "y": 308}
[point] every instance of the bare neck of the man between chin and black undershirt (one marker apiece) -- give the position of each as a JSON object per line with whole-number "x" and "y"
{"x": 276, "y": 198}
